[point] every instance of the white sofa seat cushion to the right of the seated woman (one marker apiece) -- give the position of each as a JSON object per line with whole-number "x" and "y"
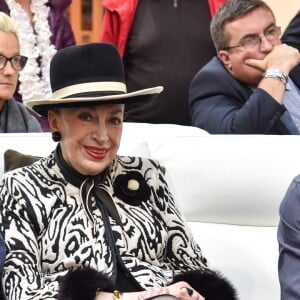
{"x": 247, "y": 255}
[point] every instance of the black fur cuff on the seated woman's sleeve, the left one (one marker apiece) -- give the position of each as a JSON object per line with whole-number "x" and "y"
{"x": 82, "y": 284}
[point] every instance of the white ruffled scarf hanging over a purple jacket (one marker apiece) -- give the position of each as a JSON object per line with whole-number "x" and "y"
{"x": 35, "y": 43}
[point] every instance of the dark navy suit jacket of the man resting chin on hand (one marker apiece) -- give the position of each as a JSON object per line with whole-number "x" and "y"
{"x": 218, "y": 103}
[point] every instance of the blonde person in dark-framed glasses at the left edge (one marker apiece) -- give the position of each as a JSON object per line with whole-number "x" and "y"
{"x": 14, "y": 116}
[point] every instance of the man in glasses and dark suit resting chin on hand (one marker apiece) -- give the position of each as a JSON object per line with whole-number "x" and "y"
{"x": 252, "y": 86}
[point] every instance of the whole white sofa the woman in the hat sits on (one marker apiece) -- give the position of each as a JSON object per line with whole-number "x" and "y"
{"x": 229, "y": 187}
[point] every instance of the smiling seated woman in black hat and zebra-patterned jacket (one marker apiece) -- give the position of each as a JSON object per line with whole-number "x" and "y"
{"x": 86, "y": 208}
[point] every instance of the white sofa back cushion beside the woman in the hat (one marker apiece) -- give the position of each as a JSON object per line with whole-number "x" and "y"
{"x": 230, "y": 179}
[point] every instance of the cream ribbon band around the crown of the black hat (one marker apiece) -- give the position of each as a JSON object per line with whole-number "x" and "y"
{"x": 91, "y": 87}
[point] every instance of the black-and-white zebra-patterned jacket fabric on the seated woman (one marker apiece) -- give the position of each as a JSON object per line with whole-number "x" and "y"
{"x": 49, "y": 229}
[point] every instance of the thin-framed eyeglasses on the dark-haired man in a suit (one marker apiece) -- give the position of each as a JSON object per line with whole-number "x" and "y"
{"x": 251, "y": 41}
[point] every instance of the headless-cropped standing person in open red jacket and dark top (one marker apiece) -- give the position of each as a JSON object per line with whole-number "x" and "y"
{"x": 161, "y": 42}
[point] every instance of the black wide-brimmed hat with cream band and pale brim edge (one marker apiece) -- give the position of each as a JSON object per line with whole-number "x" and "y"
{"x": 89, "y": 74}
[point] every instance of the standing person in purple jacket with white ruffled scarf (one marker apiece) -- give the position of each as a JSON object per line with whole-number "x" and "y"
{"x": 43, "y": 29}
